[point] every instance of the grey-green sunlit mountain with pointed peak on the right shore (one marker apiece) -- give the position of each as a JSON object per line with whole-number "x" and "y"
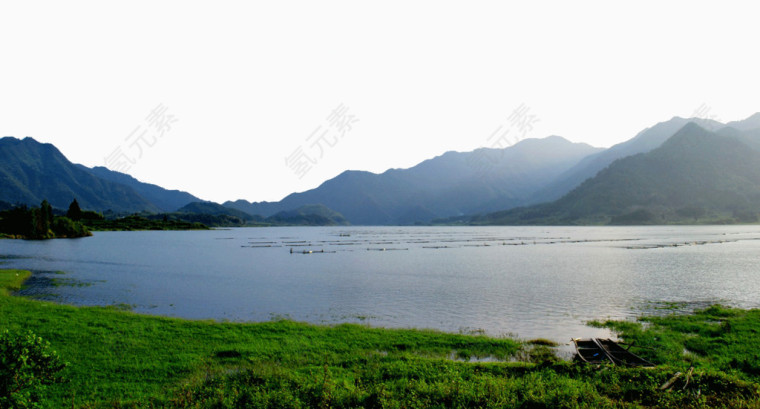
{"x": 695, "y": 174}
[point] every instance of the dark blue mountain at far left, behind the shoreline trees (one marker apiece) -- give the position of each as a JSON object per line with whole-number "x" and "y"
{"x": 31, "y": 172}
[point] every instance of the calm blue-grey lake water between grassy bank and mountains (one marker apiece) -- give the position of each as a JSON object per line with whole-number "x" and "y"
{"x": 525, "y": 281}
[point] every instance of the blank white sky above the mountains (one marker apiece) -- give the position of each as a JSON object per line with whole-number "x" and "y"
{"x": 248, "y": 82}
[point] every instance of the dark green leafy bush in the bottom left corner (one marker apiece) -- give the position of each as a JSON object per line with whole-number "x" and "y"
{"x": 27, "y": 365}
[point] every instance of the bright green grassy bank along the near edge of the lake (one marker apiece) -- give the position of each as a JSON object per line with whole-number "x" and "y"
{"x": 120, "y": 359}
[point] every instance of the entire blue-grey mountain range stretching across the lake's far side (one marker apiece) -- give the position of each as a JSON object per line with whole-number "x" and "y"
{"x": 678, "y": 170}
